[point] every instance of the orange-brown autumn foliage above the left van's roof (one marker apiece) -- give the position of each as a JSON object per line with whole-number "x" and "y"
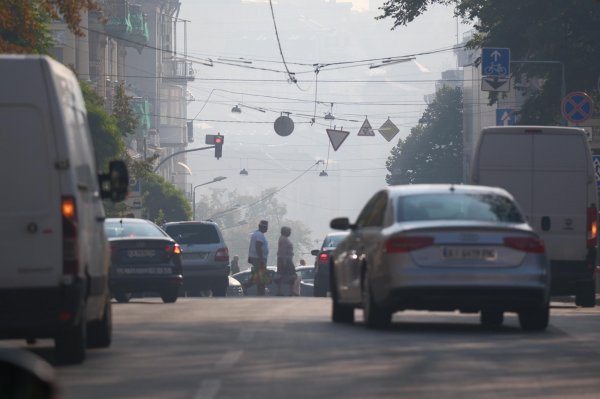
{"x": 24, "y": 24}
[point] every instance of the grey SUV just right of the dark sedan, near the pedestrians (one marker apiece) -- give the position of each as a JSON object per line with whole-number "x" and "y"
{"x": 205, "y": 256}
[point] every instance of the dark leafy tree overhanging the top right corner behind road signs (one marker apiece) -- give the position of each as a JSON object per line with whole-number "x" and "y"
{"x": 534, "y": 30}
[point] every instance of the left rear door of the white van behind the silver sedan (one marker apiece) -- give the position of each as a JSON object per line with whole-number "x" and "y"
{"x": 505, "y": 159}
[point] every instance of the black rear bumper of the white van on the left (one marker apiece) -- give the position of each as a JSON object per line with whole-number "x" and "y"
{"x": 40, "y": 312}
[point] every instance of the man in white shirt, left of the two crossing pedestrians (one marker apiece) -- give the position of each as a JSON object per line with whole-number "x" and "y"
{"x": 257, "y": 257}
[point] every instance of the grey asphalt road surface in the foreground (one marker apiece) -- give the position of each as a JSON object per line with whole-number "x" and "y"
{"x": 204, "y": 348}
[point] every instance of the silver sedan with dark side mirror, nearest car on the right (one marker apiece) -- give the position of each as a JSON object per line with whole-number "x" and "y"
{"x": 440, "y": 247}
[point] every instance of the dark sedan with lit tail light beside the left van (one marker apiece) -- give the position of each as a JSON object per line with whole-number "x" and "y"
{"x": 144, "y": 260}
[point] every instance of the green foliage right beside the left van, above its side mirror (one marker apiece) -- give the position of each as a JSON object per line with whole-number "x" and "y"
{"x": 108, "y": 142}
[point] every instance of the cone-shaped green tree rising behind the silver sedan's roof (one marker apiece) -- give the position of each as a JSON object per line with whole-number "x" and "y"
{"x": 433, "y": 151}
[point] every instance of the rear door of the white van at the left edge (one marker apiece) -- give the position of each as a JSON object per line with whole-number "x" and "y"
{"x": 30, "y": 218}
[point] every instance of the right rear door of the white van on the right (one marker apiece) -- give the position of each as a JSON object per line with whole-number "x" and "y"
{"x": 560, "y": 190}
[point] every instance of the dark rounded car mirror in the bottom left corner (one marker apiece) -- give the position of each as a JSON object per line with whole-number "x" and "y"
{"x": 24, "y": 375}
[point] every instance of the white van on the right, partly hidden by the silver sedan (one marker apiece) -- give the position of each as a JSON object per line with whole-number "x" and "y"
{"x": 549, "y": 170}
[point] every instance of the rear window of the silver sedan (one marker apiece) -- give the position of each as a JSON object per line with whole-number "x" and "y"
{"x": 458, "y": 206}
